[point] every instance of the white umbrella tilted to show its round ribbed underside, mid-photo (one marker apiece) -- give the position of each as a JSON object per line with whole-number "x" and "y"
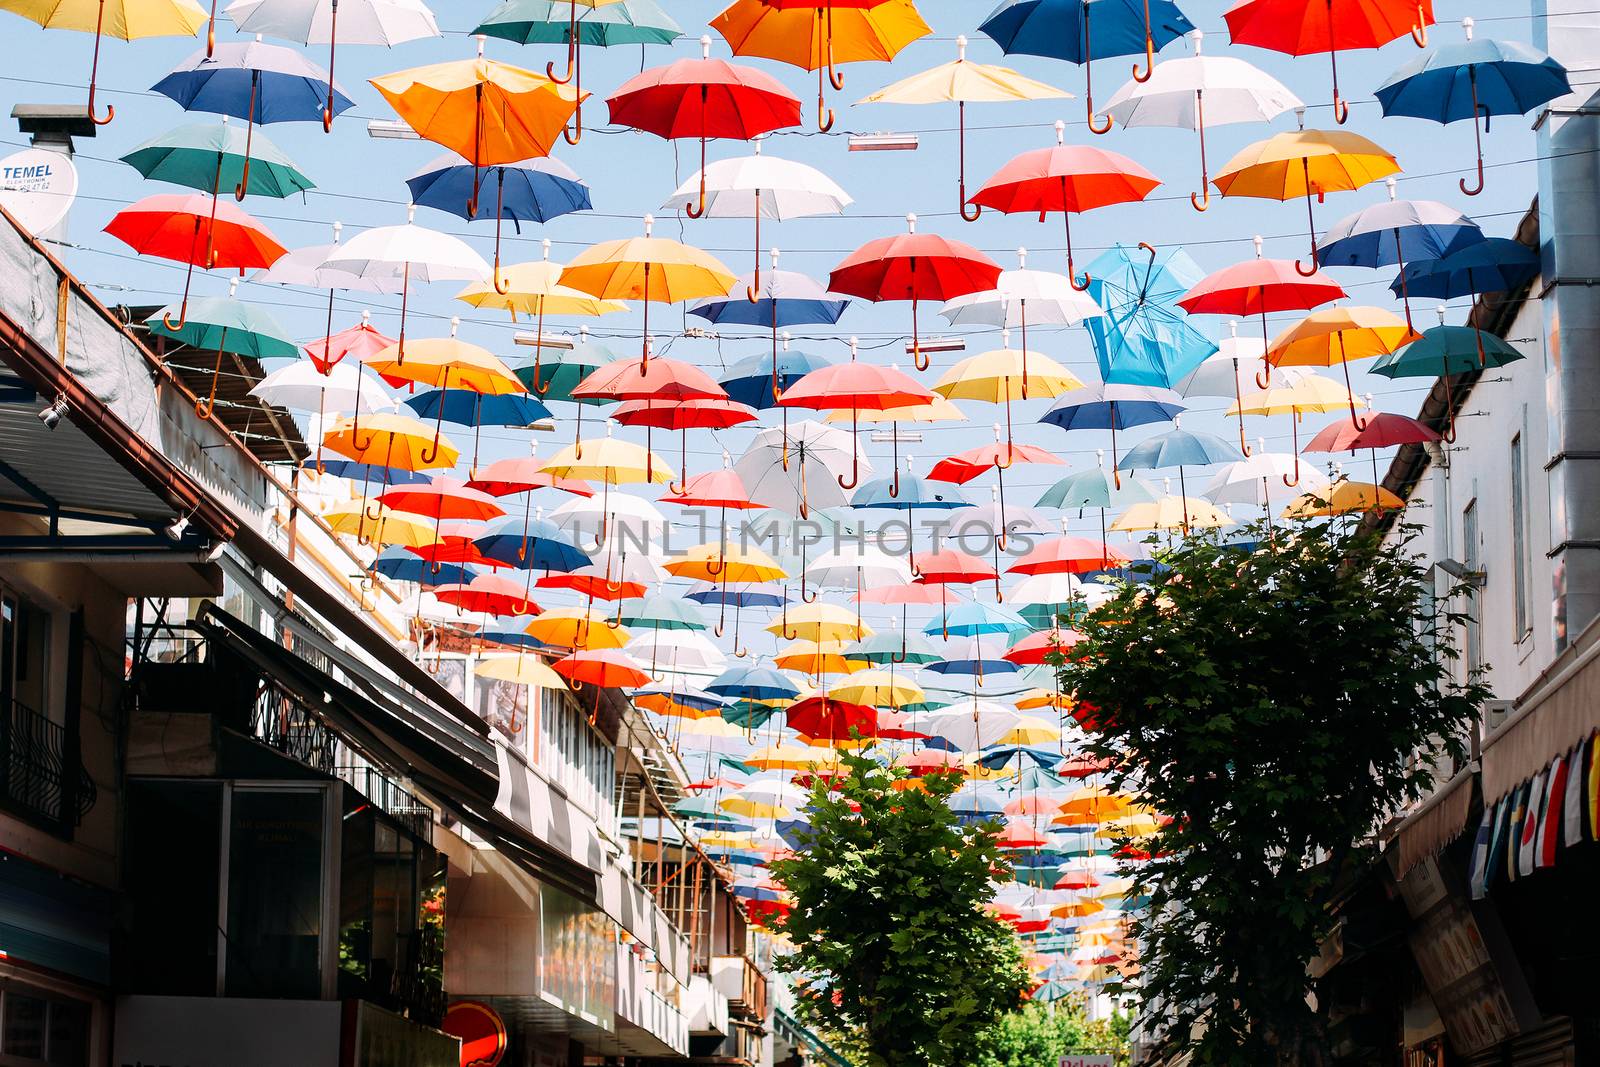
{"x": 796, "y": 470}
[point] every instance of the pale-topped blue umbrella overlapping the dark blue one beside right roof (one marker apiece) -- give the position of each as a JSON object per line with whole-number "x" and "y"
{"x": 1398, "y": 231}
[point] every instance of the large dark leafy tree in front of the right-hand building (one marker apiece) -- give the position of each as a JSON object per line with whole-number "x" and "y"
{"x": 1279, "y": 706}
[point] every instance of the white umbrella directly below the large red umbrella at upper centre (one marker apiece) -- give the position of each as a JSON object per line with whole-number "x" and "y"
{"x": 759, "y": 188}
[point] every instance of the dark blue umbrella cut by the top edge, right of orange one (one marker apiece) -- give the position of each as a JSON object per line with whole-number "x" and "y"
{"x": 1062, "y": 30}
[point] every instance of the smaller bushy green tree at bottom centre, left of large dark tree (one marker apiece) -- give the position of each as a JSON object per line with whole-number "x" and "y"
{"x": 894, "y": 948}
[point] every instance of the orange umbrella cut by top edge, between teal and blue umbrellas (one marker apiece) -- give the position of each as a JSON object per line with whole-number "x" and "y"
{"x": 820, "y": 38}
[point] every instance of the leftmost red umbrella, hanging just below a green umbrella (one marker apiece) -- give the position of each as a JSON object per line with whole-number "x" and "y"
{"x": 196, "y": 231}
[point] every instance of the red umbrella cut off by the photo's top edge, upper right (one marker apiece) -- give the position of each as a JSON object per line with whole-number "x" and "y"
{"x": 1303, "y": 30}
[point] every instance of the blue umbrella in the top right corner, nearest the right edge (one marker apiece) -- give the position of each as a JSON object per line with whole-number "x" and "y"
{"x": 1476, "y": 78}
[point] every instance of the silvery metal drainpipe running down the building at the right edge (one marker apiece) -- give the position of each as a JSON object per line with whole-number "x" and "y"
{"x": 1569, "y": 142}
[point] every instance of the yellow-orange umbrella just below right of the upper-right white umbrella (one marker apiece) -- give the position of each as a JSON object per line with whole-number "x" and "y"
{"x": 1305, "y": 164}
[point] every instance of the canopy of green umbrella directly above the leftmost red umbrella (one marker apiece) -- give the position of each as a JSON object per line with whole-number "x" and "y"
{"x": 212, "y": 156}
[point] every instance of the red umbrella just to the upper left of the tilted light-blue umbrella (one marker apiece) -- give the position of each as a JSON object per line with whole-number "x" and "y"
{"x": 1065, "y": 178}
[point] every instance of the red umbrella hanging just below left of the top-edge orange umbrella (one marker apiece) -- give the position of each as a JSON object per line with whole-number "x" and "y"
{"x": 705, "y": 98}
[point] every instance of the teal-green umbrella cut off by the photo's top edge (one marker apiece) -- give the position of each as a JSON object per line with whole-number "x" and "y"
{"x": 578, "y": 23}
